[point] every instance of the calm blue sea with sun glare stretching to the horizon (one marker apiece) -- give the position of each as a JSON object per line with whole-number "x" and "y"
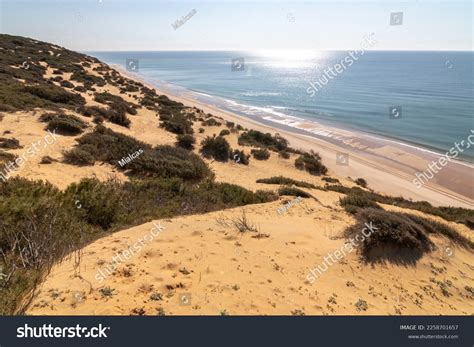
{"x": 432, "y": 91}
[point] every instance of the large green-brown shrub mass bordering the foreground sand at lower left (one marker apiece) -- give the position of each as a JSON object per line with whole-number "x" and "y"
{"x": 40, "y": 224}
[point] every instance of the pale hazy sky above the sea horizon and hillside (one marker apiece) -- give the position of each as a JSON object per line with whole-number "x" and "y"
{"x": 95, "y": 25}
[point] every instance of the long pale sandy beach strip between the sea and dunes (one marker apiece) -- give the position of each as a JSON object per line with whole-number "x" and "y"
{"x": 374, "y": 158}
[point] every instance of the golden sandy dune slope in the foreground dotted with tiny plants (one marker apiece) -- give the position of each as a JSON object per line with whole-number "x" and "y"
{"x": 201, "y": 266}
